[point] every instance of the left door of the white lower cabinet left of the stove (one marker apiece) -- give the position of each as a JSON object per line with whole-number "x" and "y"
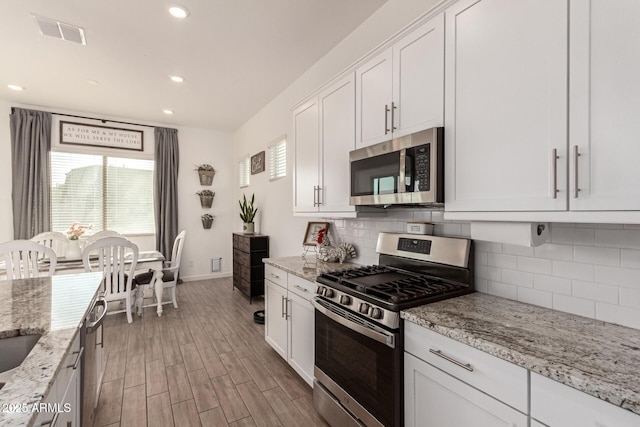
{"x": 275, "y": 330}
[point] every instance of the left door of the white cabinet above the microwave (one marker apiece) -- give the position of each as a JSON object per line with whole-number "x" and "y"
{"x": 373, "y": 100}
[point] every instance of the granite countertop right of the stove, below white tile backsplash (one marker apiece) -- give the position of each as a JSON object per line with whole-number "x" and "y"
{"x": 598, "y": 358}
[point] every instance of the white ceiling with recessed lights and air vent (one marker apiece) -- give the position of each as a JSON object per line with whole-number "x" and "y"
{"x": 236, "y": 55}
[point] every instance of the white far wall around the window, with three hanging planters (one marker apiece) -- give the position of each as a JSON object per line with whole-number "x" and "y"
{"x": 197, "y": 146}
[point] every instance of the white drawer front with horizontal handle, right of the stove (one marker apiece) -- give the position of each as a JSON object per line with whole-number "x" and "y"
{"x": 496, "y": 377}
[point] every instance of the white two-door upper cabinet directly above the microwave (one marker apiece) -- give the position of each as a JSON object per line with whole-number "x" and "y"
{"x": 400, "y": 91}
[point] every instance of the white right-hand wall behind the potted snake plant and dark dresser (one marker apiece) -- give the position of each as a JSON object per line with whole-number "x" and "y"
{"x": 274, "y": 199}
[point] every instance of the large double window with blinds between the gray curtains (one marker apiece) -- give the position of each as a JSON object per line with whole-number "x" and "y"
{"x": 109, "y": 192}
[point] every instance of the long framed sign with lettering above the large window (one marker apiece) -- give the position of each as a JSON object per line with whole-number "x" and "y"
{"x": 101, "y": 136}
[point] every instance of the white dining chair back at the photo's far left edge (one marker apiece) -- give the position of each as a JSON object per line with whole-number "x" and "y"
{"x": 24, "y": 259}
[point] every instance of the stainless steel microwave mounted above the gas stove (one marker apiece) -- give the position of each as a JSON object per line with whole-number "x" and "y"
{"x": 405, "y": 170}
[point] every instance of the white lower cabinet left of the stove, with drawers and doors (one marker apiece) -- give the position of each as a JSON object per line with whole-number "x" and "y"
{"x": 289, "y": 319}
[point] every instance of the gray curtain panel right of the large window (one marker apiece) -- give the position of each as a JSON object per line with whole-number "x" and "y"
{"x": 166, "y": 188}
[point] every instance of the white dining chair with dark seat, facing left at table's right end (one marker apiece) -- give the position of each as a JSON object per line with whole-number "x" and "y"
{"x": 169, "y": 279}
